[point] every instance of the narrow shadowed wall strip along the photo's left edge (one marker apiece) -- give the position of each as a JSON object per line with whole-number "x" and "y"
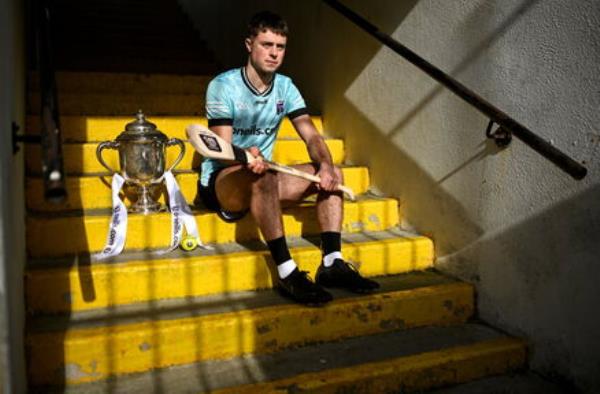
{"x": 12, "y": 215}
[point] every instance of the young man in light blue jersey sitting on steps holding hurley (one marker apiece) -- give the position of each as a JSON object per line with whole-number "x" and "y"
{"x": 245, "y": 106}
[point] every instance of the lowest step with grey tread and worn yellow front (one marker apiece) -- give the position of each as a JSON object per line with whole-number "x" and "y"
{"x": 397, "y": 362}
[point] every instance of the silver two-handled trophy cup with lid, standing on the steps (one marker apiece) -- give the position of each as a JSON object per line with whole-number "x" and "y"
{"x": 142, "y": 151}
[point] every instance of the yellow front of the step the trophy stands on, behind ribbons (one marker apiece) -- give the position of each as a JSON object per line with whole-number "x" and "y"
{"x": 52, "y": 236}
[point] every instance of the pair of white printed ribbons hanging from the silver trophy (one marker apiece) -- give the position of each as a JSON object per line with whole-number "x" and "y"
{"x": 181, "y": 217}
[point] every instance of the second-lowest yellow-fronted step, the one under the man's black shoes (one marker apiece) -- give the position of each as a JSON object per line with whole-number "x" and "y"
{"x": 89, "y": 347}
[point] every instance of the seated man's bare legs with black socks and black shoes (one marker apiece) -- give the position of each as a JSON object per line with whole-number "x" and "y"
{"x": 239, "y": 189}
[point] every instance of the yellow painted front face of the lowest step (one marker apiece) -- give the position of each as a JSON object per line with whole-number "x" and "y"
{"x": 405, "y": 374}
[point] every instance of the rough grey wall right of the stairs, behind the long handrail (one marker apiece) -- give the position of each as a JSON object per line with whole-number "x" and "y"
{"x": 508, "y": 221}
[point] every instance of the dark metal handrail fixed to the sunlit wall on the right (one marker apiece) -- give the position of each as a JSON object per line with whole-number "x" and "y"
{"x": 506, "y": 123}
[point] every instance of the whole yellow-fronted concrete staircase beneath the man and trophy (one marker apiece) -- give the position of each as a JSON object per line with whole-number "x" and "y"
{"x": 209, "y": 321}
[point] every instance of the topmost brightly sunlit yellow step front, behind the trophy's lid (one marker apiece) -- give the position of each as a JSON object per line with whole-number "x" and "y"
{"x": 102, "y": 128}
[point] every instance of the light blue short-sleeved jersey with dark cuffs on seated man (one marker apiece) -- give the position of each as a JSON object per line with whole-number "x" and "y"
{"x": 255, "y": 117}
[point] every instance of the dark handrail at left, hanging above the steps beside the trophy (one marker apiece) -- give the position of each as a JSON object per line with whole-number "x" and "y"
{"x": 50, "y": 135}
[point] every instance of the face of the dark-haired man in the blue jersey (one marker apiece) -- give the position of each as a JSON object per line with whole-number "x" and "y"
{"x": 266, "y": 51}
